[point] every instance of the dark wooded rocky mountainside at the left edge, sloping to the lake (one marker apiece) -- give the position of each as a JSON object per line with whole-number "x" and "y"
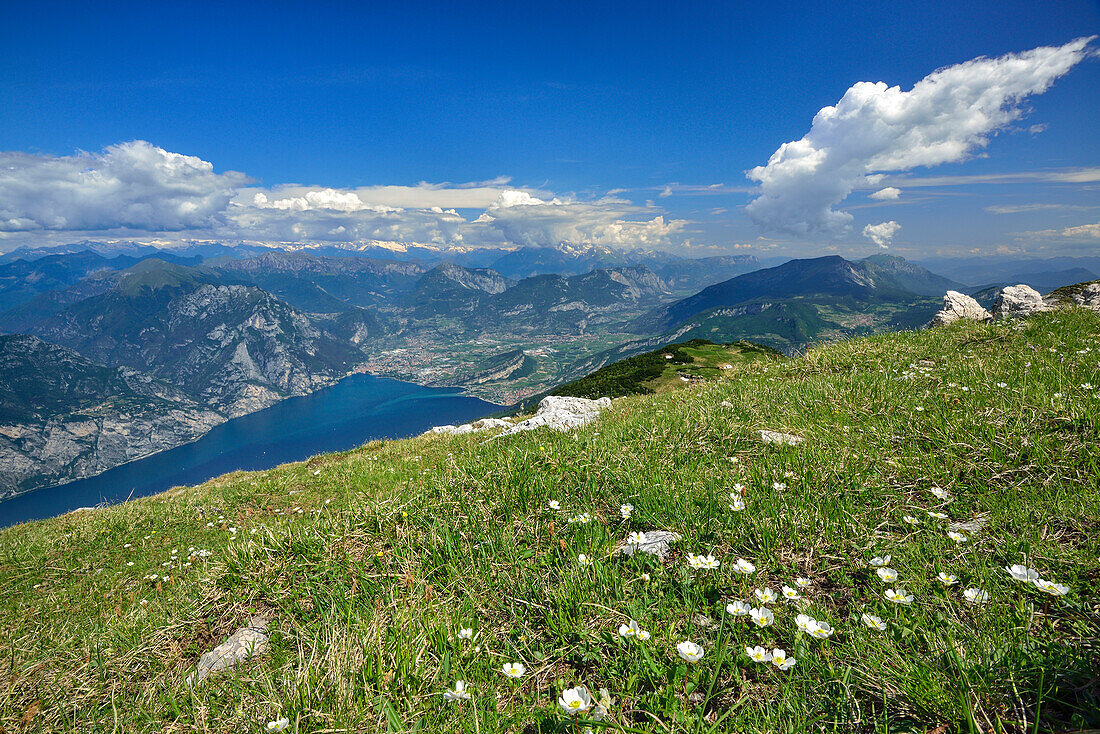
{"x": 63, "y": 418}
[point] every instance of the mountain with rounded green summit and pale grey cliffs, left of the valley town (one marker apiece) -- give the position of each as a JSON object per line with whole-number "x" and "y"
{"x": 235, "y": 347}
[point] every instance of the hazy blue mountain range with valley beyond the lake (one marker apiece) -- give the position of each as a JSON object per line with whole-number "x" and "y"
{"x": 196, "y": 336}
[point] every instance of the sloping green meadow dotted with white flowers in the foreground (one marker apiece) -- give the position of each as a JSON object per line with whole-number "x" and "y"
{"x": 370, "y": 562}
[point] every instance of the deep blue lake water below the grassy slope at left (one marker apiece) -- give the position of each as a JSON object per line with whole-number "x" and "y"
{"x": 355, "y": 411}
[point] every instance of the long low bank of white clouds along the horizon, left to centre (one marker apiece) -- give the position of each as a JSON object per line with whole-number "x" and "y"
{"x": 138, "y": 188}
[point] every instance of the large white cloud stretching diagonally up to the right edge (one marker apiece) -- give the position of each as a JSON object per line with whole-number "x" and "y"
{"x": 877, "y": 129}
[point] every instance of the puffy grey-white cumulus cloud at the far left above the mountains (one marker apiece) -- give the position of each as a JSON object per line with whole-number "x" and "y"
{"x": 133, "y": 185}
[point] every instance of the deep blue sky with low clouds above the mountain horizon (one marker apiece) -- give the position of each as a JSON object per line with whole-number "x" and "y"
{"x": 604, "y": 119}
